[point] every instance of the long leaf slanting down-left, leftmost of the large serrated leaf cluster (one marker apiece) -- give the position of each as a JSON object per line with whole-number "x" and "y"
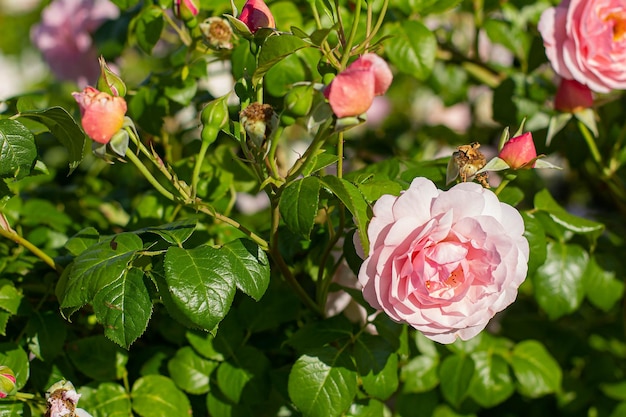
{"x": 100, "y": 266}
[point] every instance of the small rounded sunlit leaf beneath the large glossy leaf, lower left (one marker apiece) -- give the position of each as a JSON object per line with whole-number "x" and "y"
{"x": 190, "y": 372}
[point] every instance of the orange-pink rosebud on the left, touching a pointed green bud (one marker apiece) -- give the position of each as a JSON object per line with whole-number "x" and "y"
{"x": 102, "y": 115}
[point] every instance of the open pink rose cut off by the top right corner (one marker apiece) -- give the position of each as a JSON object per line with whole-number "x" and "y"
{"x": 585, "y": 40}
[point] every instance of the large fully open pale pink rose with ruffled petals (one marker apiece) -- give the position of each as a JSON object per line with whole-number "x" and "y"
{"x": 444, "y": 262}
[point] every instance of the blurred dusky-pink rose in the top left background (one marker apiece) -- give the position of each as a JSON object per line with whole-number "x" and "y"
{"x": 64, "y": 37}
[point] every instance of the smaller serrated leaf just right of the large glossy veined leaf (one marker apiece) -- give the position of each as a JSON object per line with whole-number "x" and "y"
{"x": 249, "y": 266}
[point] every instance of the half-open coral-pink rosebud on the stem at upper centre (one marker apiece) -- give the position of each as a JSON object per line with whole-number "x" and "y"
{"x": 352, "y": 91}
